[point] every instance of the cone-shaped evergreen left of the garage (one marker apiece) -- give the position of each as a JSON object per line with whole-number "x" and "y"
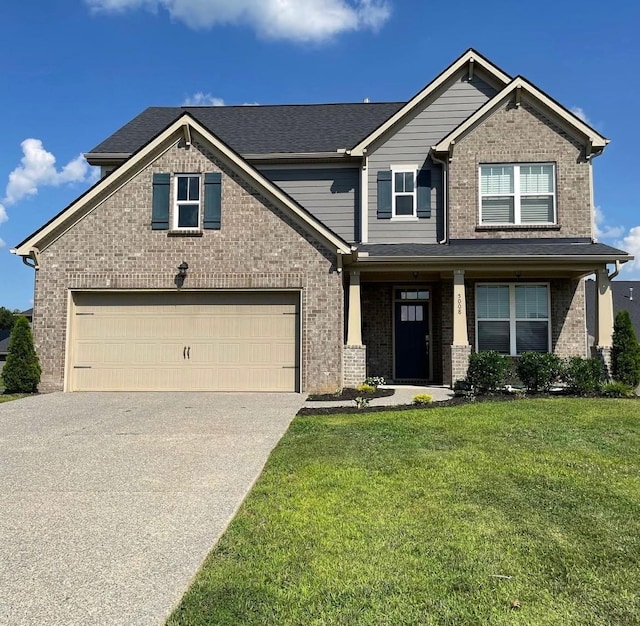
{"x": 21, "y": 373}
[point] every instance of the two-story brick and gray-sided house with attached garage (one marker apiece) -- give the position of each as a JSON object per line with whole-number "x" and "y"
{"x": 319, "y": 244}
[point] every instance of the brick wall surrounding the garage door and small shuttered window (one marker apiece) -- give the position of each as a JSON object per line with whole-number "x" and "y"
{"x": 258, "y": 247}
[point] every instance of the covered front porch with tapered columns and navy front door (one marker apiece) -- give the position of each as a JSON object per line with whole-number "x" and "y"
{"x": 416, "y": 320}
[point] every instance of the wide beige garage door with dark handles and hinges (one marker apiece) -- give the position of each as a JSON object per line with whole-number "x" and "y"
{"x": 184, "y": 341}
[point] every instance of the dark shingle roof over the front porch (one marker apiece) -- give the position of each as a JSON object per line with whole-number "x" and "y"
{"x": 495, "y": 248}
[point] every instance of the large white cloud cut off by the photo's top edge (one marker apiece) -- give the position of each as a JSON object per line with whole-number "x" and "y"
{"x": 294, "y": 20}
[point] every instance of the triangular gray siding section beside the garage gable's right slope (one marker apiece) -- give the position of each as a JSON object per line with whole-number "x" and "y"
{"x": 330, "y": 194}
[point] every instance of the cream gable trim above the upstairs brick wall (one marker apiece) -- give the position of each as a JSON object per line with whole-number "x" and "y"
{"x": 594, "y": 141}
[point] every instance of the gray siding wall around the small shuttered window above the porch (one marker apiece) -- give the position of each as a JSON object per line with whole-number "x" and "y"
{"x": 410, "y": 143}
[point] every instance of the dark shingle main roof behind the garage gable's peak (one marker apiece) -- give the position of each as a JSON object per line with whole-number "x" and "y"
{"x": 262, "y": 129}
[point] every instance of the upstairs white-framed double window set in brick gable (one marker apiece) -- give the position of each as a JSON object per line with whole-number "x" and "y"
{"x": 517, "y": 194}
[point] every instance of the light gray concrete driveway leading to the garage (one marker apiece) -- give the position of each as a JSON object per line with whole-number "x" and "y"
{"x": 109, "y": 502}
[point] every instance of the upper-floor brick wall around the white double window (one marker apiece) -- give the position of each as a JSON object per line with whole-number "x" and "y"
{"x": 511, "y": 135}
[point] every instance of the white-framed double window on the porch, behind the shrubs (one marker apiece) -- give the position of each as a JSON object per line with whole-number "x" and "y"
{"x": 512, "y": 319}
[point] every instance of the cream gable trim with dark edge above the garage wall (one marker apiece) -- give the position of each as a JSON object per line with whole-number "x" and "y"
{"x": 185, "y": 126}
